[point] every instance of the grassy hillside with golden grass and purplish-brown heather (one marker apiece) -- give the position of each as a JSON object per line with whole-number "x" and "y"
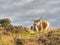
{"x": 18, "y": 35}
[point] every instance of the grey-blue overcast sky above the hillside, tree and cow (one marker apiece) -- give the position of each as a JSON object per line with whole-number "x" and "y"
{"x": 21, "y": 12}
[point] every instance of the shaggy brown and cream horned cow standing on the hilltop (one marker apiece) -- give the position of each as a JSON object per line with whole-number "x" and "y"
{"x": 40, "y": 25}
